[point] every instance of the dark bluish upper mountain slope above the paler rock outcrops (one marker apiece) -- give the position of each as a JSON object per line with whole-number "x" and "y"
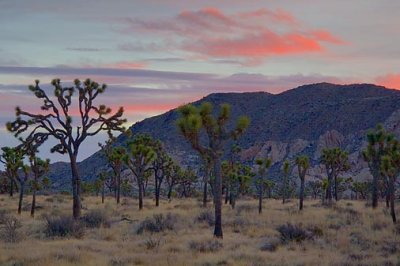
{"x": 305, "y": 113}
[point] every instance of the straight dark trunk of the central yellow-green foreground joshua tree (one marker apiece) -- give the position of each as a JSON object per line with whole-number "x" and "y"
{"x": 218, "y": 198}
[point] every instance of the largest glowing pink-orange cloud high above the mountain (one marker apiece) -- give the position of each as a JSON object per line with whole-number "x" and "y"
{"x": 249, "y": 37}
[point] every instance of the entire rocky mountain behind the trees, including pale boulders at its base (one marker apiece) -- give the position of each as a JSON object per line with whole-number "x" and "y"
{"x": 302, "y": 120}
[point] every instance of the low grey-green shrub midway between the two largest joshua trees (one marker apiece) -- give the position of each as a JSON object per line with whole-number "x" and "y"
{"x": 158, "y": 223}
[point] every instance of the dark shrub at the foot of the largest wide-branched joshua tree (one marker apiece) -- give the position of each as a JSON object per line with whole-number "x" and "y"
{"x": 64, "y": 226}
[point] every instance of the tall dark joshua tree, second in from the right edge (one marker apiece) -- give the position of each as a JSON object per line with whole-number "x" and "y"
{"x": 377, "y": 143}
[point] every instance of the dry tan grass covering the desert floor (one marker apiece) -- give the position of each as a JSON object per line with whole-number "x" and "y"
{"x": 348, "y": 234}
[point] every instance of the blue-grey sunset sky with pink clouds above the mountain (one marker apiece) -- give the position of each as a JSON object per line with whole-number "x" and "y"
{"x": 158, "y": 54}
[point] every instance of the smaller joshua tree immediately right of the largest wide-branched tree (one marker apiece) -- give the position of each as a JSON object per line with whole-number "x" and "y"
{"x": 115, "y": 157}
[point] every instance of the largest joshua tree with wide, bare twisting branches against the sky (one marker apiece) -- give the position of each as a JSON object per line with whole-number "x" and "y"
{"x": 55, "y": 121}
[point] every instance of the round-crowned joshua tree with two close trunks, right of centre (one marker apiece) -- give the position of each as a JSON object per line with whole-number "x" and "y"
{"x": 336, "y": 161}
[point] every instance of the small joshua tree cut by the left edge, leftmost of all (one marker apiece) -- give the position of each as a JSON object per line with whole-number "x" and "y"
{"x": 12, "y": 158}
